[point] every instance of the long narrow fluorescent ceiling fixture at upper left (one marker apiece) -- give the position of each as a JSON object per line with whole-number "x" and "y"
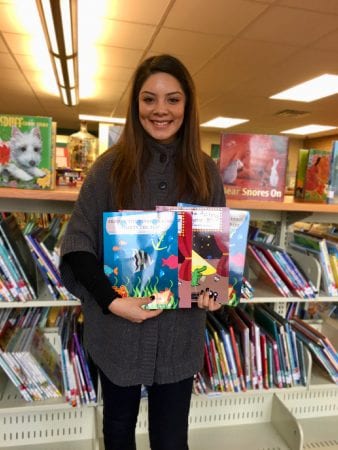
{"x": 59, "y": 22}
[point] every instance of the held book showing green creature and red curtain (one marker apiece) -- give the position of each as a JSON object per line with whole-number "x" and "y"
{"x": 210, "y": 250}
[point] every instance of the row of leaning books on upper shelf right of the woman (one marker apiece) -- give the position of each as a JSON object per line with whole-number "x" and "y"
{"x": 307, "y": 268}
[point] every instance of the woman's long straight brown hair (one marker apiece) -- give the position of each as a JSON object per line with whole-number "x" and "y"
{"x": 130, "y": 152}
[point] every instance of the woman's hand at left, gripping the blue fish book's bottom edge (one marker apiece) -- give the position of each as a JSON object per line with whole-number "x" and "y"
{"x": 130, "y": 308}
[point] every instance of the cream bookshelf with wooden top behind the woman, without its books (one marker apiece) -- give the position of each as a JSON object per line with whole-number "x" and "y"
{"x": 295, "y": 418}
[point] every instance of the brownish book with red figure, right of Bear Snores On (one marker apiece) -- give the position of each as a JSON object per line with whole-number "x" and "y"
{"x": 312, "y": 175}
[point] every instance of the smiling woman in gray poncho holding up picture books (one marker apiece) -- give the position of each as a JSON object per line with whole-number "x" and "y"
{"x": 157, "y": 161}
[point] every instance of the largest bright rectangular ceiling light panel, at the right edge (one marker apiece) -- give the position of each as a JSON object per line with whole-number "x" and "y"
{"x": 319, "y": 87}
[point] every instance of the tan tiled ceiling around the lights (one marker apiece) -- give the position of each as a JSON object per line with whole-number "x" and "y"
{"x": 239, "y": 52}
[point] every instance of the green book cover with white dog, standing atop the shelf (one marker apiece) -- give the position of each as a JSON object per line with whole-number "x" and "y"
{"x": 26, "y": 152}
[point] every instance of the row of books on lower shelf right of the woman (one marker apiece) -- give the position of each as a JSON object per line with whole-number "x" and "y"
{"x": 255, "y": 348}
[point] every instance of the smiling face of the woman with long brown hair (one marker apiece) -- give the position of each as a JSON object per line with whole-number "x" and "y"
{"x": 161, "y": 106}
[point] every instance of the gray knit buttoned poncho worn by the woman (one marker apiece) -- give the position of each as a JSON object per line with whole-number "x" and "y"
{"x": 164, "y": 349}
